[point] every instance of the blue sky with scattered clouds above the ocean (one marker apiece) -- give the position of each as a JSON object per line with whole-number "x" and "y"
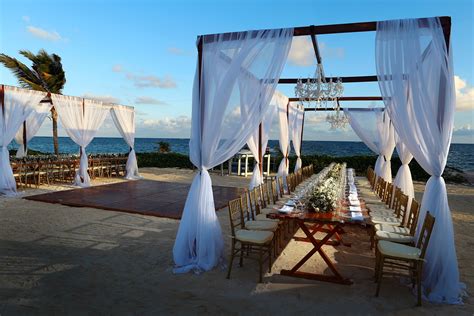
{"x": 142, "y": 53}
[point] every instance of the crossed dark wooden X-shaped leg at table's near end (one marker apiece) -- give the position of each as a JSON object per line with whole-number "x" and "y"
{"x": 336, "y": 278}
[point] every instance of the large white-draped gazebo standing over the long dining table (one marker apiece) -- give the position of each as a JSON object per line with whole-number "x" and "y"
{"x": 234, "y": 90}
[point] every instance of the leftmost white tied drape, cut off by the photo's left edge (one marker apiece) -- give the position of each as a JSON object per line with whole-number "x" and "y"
{"x": 17, "y": 106}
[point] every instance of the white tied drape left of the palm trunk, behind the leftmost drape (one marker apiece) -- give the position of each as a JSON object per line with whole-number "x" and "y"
{"x": 33, "y": 124}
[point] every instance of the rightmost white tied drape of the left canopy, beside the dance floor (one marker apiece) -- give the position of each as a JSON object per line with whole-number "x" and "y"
{"x": 124, "y": 120}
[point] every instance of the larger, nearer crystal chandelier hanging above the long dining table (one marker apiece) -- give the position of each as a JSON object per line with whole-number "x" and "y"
{"x": 318, "y": 90}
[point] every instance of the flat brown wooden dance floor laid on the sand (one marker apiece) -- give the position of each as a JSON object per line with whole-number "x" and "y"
{"x": 147, "y": 197}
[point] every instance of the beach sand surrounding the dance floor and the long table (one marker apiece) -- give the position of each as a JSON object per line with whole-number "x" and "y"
{"x": 58, "y": 260}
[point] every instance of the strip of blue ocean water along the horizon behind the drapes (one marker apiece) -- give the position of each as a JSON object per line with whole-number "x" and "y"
{"x": 461, "y": 156}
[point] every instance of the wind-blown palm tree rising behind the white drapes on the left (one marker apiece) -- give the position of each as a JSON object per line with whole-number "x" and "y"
{"x": 46, "y": 74}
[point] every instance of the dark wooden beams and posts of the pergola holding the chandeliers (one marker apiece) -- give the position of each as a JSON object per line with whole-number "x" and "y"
{"x": 313, "y": 31}
